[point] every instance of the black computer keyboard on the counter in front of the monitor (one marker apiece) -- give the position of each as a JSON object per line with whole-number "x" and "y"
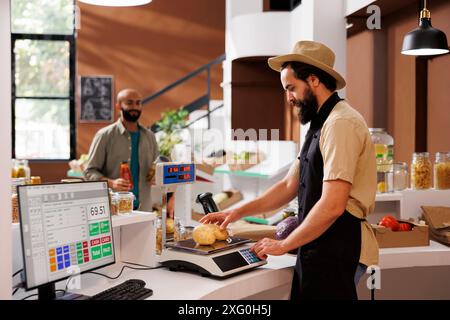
{"x": 133, "y": 289}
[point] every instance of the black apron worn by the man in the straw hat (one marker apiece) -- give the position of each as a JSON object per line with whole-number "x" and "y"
{"x": 325, "y": 267}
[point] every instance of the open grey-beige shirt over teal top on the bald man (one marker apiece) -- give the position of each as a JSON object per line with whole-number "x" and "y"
{"x": 111, "y": 146}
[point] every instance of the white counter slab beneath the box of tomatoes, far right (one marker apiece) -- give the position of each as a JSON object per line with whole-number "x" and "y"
{"x": 435, "y": 254}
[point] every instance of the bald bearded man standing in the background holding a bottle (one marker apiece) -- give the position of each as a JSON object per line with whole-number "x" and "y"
{"x": 125, "y": 141}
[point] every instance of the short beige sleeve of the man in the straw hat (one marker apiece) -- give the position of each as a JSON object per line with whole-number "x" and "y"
{"x": 341, "y": 145}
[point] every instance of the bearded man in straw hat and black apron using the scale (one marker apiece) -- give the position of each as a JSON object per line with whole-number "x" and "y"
{"x": 334, "y": 179}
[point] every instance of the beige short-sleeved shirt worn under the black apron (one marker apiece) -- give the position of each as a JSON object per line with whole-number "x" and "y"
{"x": 348, "y": 154}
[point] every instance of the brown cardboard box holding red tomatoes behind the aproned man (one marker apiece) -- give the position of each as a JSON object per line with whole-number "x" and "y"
{"x": 417, "y": 237}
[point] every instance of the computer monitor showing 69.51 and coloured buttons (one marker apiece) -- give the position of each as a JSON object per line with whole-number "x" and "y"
{"x": 65, "y": 227}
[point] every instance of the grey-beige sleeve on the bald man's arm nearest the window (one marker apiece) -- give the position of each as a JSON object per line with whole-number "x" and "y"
{"x": 96, "y": 158}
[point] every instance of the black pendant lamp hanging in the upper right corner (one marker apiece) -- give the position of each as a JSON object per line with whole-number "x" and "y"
{"x": 425, "y": 40}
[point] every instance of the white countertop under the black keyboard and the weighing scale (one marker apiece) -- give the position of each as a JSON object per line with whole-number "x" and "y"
{"x": 168, "y": 285}
